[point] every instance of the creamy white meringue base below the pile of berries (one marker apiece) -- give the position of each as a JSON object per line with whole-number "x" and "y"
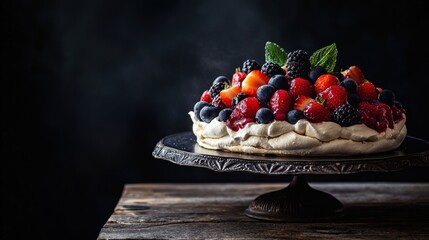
{"x": 302, "y": 138}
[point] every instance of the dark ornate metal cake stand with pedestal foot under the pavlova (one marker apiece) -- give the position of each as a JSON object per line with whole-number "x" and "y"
{"x": 297, "y": 202}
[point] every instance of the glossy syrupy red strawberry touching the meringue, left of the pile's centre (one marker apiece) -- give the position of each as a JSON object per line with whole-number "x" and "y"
{"x": 243, "y": 113}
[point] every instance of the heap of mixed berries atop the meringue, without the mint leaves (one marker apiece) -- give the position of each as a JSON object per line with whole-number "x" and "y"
{"x": 297, "y": 91}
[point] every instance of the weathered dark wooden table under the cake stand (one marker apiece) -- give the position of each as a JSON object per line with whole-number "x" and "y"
{"x": 215, "y": 211}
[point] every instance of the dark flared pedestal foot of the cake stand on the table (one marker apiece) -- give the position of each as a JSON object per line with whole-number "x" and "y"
{"x": 298, "y": 202}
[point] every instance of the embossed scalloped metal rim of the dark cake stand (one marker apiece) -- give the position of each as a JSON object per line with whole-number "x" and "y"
{"x": 223, "y": 164}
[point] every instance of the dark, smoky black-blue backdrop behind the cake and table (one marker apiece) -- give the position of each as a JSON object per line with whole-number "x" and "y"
{"x": 88, "y": 88}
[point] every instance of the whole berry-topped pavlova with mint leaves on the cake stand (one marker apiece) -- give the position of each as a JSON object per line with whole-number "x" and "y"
{"x": 296, "y": 104}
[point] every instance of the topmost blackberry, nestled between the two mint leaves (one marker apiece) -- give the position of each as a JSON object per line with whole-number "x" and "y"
{"x": 298, "y": 64}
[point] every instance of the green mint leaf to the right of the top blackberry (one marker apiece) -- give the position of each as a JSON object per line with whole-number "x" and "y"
{"x": 325, "y": 57}
